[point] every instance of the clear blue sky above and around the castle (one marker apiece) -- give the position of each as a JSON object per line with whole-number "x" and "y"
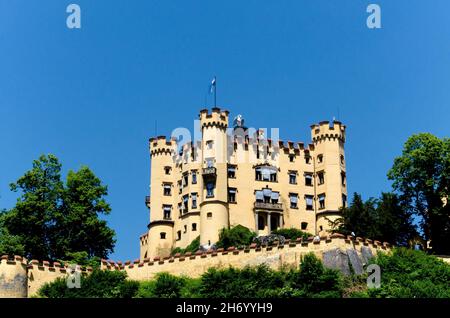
{"x": 91, "y": 96}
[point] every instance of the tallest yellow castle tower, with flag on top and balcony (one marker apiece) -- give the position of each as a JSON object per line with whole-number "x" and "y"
{"x": 214, "y": 214}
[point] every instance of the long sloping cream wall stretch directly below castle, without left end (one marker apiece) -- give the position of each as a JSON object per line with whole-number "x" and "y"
{"x": 289, "y": 254}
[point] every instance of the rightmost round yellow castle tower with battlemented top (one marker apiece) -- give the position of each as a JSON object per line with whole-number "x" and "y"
{"x": 330, "y": 176}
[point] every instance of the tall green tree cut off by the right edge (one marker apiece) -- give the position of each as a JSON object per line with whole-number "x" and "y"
{"x": 421, "y": 175}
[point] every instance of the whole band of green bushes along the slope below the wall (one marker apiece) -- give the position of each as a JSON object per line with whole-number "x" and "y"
{"x": 405, "y": 273}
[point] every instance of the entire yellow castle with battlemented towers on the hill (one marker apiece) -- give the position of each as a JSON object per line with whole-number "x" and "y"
{"x": 236, "y": 175}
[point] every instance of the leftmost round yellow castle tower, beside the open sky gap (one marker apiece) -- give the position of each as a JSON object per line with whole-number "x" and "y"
{"x": 160, "y": 235}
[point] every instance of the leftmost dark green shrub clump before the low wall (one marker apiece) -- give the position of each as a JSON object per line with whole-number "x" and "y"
{"x": 98, "y": 284}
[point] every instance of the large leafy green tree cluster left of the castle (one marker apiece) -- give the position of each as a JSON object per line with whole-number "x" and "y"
{"x": 58, "y": 222}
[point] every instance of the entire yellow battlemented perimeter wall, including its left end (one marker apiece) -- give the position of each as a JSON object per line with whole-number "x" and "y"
{"x": 20, "y": 278}
